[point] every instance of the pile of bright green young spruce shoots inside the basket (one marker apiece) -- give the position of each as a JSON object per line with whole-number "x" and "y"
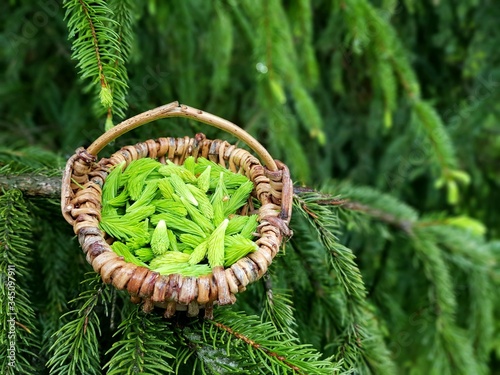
{"x": 178, "y": 219}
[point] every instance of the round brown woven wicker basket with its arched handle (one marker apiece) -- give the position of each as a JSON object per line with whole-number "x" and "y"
{"x": 81, "y": 193}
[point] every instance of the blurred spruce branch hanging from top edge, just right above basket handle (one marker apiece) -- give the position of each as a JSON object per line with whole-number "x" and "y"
{"x": 279, "y": 80}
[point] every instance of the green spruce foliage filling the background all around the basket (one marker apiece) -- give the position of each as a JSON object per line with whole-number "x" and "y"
{"x": 388, "y": 109}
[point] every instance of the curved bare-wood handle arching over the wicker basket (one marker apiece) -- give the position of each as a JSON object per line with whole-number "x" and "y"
{"x": 175, "y": 109}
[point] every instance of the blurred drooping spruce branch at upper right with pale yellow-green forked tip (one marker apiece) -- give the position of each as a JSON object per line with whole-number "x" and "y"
{"x": 369, "y": 28}
